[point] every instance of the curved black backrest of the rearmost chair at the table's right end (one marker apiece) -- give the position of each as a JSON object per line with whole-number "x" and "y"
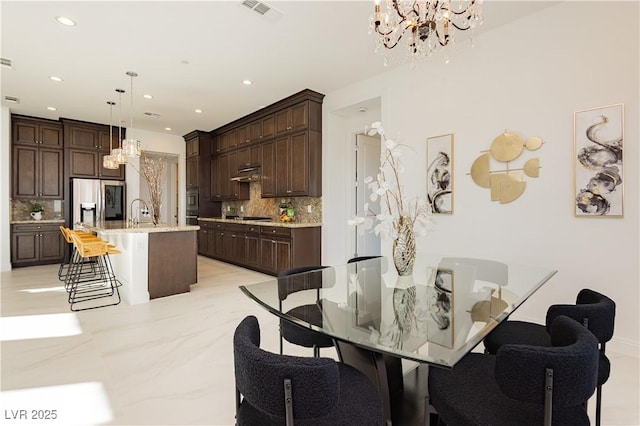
{"x": 594, "y": 310}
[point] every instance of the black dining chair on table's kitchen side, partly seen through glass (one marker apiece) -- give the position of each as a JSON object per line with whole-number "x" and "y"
{"x": 302, "y": 279}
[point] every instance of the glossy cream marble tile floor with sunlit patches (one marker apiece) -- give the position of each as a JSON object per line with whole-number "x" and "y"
{"x": 168, "y": 362}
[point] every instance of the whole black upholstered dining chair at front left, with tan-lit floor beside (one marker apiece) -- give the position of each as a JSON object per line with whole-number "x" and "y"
{"x": 274, "y": 389}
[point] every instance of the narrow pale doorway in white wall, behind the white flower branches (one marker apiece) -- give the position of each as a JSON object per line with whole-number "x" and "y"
{"x": 367, "y": 149}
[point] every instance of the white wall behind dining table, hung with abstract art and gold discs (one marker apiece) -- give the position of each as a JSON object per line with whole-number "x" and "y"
{"x": 529, "y": 76}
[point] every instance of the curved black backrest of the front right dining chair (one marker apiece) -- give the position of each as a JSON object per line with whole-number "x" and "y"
{"x": 521, "y": 370}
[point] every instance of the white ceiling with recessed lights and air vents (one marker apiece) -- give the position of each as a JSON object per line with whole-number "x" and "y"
{"x": 188, "y": 55}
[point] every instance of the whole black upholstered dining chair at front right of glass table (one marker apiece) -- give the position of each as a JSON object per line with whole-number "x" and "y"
{"x": 522, "y": 384}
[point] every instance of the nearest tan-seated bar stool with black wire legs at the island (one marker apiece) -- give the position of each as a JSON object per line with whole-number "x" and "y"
{"x": 90, "y": 276}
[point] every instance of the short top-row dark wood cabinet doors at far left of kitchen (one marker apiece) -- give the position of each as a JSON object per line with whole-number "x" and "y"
{"x": 35, "y": 131}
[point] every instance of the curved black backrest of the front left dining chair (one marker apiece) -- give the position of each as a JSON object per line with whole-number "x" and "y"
{"x": 260, "y": 377}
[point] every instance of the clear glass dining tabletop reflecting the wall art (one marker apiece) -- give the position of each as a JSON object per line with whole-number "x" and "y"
{"x": 436, "y": 315}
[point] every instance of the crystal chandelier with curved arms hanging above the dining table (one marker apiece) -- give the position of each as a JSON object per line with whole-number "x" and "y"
{"x": 426, "y": 25}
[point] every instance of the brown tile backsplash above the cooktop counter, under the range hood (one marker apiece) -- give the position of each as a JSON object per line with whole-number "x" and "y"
{"x": 269, "y": 207}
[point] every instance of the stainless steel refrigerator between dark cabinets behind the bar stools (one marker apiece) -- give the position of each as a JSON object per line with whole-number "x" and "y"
{"x": 95, "y": 200}
